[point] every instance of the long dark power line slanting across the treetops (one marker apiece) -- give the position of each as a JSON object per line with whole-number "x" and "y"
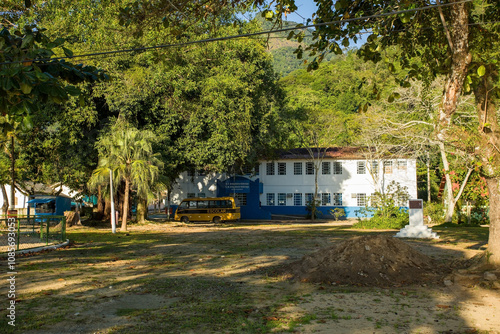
{"x": 225, "y": 38}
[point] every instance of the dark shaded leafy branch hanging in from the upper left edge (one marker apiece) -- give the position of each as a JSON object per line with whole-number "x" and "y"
{"x": 30, "y": 76}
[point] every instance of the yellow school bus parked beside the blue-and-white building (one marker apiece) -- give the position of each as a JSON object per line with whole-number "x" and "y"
{"x": 215, "y": 209}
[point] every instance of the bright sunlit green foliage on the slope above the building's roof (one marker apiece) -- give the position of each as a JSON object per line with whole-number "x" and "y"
{"x": 331, "y": 101}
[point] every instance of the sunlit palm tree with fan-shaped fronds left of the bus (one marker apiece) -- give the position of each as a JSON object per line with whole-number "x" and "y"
{"x": 128, "y": 152}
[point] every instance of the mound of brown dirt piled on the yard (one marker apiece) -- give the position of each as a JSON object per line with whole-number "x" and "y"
{"x": 366, "y": 261}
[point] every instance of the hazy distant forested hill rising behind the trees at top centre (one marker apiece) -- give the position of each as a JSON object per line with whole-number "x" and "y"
{"x": 285, "y": 61}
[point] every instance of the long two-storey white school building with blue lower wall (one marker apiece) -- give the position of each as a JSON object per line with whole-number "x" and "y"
{"x": 283, "y": 186}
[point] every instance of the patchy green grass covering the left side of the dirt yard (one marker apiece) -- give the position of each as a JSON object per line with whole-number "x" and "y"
{"x": 168, "y": 265}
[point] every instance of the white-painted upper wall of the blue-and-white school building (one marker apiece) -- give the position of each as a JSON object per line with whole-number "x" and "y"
{"x": 347, "y": 183}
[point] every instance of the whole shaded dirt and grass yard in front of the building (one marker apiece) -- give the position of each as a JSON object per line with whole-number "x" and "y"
{"x": 177, "y": 278}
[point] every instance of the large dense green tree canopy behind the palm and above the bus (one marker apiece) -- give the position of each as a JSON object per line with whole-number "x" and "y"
{"x": 209, "y": 105}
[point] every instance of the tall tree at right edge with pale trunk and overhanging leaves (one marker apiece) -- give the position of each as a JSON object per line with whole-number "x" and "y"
{"x": 457, "y": 39}
